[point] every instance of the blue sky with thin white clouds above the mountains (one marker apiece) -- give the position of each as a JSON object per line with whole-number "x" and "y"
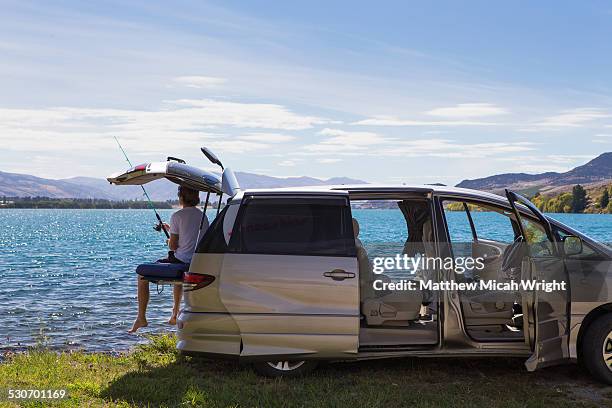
{"x": 387, "y": 92}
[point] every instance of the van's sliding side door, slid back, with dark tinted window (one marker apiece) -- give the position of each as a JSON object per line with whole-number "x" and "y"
{"x": 290, "y": 278}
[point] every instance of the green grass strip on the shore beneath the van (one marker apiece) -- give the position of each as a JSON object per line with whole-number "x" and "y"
{"x": 156, "y": 375}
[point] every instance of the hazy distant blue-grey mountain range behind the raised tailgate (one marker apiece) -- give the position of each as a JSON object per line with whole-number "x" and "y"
{"x": 23, "y": 185}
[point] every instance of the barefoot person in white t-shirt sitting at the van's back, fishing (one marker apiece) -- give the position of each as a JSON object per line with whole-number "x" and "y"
{"x": 184, "y": 230}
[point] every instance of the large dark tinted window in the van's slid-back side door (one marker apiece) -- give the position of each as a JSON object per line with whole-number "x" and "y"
{"x": 294, "y": 226}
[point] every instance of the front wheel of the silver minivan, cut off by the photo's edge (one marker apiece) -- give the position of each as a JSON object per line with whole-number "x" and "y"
{"x": 597, "y": 349}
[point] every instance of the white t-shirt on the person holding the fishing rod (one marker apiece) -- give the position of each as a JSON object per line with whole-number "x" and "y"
{"x": 186, "y": 224}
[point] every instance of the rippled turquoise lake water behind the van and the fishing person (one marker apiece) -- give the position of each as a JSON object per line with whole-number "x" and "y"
{"x": 69, "y": 279}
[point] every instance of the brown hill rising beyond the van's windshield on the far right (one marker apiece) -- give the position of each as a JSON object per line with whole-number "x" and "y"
{"x": 596, "y": 172}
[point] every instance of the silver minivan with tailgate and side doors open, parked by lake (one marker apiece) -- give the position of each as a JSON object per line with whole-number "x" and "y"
{"x": 285, "y": 278}
